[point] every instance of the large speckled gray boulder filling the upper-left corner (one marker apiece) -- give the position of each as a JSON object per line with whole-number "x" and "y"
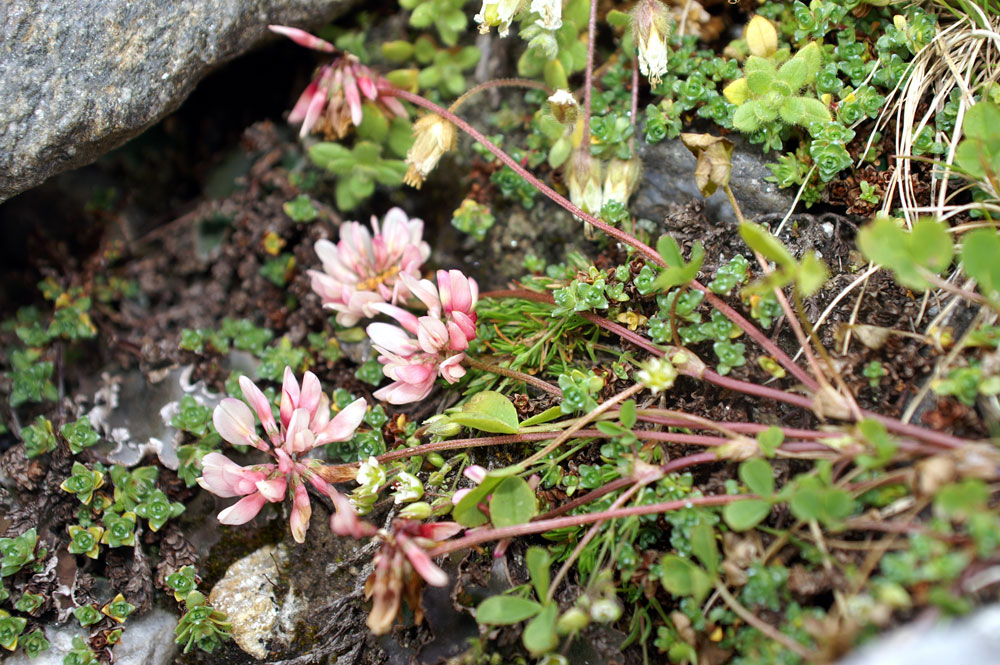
{"x": 80, "y": 78}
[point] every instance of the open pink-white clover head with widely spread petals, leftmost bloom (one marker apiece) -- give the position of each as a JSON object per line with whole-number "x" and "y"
{"x": 304, "y": 422}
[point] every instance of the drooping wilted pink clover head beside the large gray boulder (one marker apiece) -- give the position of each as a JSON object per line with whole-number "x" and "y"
{"x": 332, "y": 102}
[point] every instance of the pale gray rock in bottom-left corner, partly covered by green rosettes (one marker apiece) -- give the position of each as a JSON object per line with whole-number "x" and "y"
{"x": 148, "y": 640}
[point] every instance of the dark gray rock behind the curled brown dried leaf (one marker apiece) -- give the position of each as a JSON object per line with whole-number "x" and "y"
{"x": 668, "y": 178}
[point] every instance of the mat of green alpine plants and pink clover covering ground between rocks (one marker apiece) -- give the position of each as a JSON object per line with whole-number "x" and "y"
{"x": 759, "y": 443}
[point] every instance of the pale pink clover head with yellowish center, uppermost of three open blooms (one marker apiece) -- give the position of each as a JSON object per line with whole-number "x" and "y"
{"x": 364, "y": 268}
